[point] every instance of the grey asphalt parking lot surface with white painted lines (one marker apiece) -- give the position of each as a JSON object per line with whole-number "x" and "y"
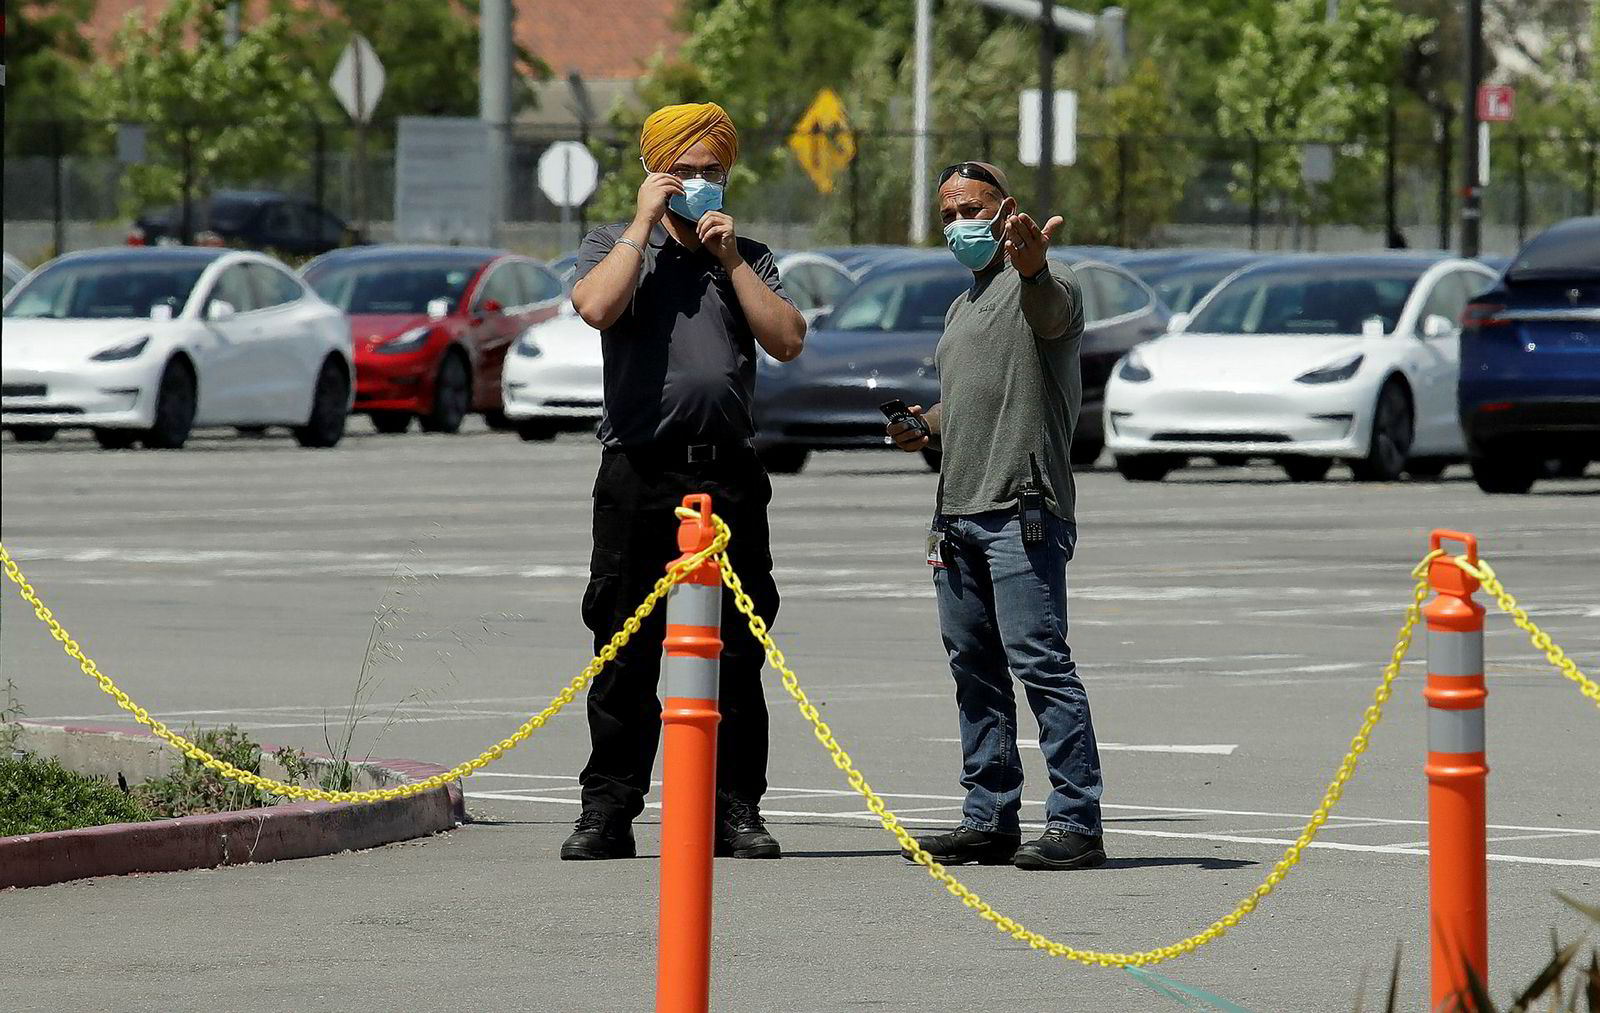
{"x": 1231, "y": 628}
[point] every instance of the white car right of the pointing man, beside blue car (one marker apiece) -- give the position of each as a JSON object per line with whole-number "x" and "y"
{"x": 1305, "y": 361}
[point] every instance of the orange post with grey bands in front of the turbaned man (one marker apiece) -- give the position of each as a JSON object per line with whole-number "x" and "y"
{"x": 689, "y": 796}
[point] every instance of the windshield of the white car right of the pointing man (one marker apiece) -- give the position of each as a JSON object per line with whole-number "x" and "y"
{"x": 1310, "y": 300}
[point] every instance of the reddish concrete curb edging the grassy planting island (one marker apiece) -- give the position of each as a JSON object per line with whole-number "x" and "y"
{"x": 302, "y": 830}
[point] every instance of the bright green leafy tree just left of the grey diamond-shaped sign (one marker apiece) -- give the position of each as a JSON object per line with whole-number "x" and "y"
{"x": 215, "y": 113}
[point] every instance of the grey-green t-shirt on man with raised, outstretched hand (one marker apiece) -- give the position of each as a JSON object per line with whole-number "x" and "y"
{"x": 1010, "y": 388}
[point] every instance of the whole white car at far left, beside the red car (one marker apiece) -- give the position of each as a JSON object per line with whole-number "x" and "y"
{"x": 145, "y": 345}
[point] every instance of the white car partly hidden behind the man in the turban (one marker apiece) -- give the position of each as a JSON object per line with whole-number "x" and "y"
{"x": 553, "y": 380}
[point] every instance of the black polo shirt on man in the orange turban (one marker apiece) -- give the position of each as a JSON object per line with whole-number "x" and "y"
{"x": 681, "y": 361}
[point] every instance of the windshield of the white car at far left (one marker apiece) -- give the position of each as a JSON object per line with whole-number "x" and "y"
{"x": 106, "y": 289}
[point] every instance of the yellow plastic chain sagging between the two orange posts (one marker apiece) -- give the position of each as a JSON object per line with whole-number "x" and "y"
{"x": 1015, "y": 929}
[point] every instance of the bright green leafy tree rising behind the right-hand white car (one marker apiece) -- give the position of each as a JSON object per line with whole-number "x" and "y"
{"x": 1310, "y": 79}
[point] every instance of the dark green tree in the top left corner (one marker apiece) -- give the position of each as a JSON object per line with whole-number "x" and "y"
{"x": 47, "y": 58}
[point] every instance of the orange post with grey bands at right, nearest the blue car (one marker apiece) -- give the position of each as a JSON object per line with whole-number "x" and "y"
{"x": 1457, "y": 775}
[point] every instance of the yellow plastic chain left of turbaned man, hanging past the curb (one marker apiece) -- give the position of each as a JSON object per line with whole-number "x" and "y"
{"x": 402, "y": 791}
